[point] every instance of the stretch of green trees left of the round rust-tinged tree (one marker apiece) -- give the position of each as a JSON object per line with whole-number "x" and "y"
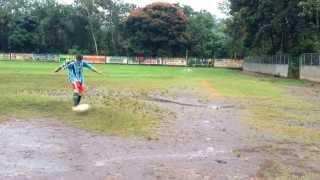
{"x": 49, "y": 27}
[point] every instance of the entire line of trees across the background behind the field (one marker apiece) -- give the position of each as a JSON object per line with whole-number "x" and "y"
{"x": 112, "y": 27}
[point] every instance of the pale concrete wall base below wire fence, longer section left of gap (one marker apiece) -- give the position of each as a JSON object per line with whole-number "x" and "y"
{"x": 272, "y": 69}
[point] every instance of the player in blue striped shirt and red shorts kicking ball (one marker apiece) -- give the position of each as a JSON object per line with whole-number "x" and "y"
{"x": 76, "y": 77}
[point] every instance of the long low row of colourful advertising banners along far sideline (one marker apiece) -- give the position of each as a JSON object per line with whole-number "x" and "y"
{"x": 195, "y": 62}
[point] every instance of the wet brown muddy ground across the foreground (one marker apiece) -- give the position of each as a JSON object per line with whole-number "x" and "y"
{"x": 204, "y": 140}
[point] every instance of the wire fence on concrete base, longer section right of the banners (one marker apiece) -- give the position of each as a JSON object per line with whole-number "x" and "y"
{"x": 277, "y": 65}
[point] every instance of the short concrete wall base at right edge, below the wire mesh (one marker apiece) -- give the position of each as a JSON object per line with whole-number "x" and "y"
{"x": 311, "y": 73}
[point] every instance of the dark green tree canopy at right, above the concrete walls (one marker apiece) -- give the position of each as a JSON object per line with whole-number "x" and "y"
{"x": 270, "y": 26}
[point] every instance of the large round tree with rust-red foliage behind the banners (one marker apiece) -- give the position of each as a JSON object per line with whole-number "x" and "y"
{"x": 157, "y": 30}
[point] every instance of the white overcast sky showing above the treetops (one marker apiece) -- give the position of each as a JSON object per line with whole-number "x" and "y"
{"x": 209, "y": 5}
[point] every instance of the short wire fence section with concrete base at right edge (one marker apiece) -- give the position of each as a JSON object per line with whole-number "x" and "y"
{"x": 310, "y": 67}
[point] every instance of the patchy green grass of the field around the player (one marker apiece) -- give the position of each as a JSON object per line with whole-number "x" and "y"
{"x": 30, "y": 90}
